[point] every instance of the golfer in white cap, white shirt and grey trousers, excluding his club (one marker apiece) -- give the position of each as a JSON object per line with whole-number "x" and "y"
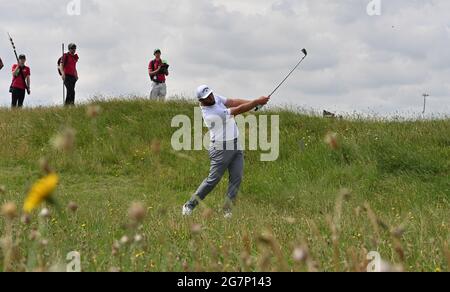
{"x": 225, "y": 152}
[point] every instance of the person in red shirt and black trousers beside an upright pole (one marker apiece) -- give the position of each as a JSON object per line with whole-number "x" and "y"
{"x": 69, "y": 73}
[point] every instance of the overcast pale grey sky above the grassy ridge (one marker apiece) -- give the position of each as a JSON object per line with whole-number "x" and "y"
{"x": 379, "y": 64}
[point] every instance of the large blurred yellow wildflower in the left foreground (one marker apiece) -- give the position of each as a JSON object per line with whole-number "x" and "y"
{"x": 40, "y": 192}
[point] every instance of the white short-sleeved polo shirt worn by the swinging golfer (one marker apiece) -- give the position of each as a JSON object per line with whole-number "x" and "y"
{"x": 219, "y": 121}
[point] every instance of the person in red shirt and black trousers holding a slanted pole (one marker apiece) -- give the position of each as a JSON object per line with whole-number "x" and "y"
{"x": 20, "y": 83}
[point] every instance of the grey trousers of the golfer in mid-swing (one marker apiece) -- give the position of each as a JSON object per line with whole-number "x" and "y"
{"x": 222, "y": 160}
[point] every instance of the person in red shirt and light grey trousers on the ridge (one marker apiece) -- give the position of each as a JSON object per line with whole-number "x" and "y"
{"x": 158, "y": 70}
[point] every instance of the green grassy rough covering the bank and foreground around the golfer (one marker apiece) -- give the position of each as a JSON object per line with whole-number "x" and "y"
{"x": 399, "y": 171}
